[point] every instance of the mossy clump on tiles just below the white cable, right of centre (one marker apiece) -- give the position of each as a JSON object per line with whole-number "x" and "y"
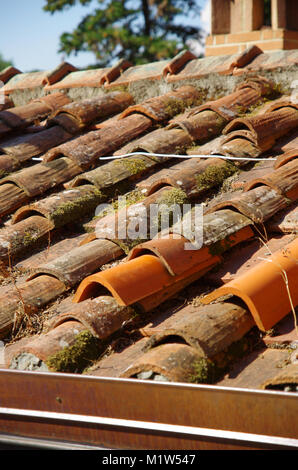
{"x": 214, "y": 176}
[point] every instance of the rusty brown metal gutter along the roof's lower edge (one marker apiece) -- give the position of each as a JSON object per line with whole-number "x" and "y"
{"x": 109, "y": 413}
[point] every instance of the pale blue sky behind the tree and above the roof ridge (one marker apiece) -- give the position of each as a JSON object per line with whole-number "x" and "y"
{"x": 30, "y": 36}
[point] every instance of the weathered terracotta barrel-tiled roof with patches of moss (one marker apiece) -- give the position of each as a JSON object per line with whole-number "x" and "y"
{"x": 76, "y": 296}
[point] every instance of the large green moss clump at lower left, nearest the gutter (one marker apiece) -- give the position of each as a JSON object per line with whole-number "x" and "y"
{"x": 77, "y": 357}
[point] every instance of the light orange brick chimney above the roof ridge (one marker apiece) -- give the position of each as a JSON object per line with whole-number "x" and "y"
{"x": 238, "y": 24}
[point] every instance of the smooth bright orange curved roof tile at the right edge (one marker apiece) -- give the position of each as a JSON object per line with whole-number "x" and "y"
{"x": 269, "y": 290}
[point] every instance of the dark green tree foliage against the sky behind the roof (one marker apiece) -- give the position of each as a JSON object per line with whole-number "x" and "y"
{"x": 139, "y": 31}
